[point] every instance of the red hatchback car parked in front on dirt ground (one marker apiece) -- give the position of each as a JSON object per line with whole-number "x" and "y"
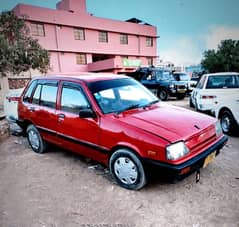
{"x": 115, "y": 120}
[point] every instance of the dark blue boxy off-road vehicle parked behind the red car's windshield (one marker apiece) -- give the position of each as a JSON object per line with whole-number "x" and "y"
{"x": 161, "y": 82}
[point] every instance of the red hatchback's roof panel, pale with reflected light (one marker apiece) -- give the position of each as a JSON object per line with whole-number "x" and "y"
{"x": 85, "y": 77}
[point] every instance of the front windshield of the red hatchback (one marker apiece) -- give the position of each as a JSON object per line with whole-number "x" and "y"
{"x": 119, "y": 95}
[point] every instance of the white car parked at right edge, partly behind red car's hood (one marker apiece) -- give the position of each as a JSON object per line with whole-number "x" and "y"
{"x": 218, "y": 93}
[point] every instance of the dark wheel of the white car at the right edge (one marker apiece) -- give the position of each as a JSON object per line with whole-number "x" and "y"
{"x": 228, "y": 122}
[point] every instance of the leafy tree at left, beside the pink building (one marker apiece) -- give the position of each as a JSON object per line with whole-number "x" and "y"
{"x": 19, "y": 52}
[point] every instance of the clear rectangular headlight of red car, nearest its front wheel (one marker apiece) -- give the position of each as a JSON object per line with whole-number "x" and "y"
{"x": 176, "y": 150}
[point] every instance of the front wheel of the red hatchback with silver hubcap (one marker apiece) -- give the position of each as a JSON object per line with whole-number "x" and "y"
{"x": 127, "y": 169}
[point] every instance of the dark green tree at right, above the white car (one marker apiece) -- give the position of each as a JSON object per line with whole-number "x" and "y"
{"x": 225, "y": 59}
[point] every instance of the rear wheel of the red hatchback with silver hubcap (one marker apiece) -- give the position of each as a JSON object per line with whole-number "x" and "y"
{"x": 35, "y": 140}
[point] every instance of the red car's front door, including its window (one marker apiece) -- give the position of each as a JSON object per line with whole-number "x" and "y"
{"x": 79, "y": 134}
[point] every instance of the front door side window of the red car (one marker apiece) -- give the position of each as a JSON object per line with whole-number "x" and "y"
{"x": 73, "y": 100}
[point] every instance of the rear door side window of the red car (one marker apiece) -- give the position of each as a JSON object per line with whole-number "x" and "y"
{"x": 48, "y": 95}
